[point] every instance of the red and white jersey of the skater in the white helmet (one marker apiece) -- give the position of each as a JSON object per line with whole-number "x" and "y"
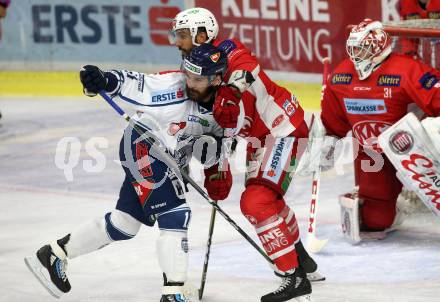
{"x": 269, "y": 108}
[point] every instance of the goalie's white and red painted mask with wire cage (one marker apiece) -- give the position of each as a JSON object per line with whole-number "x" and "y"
{"x": 368, "y": 45}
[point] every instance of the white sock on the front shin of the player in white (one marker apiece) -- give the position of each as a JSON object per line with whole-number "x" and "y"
{"x": 172, "y": 252}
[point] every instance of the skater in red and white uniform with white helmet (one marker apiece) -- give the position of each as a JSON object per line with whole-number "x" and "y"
{"x": 252, "y": 106}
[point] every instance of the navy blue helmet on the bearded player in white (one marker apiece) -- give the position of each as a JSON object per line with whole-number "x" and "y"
{"x": 206, "y": 60}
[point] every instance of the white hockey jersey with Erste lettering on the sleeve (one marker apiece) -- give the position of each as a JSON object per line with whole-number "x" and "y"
{"x": 164, "y": 109}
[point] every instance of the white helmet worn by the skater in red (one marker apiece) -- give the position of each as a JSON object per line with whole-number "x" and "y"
{"x": 195, "y": 18}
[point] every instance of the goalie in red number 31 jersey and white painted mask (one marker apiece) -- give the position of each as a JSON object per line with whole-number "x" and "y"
{"x": 366, "y": 94}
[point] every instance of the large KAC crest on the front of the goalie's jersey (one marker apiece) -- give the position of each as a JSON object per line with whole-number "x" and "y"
{"x": 367, "y": 133}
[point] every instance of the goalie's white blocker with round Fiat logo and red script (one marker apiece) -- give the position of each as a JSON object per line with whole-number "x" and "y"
{"x": 413, "y": 147}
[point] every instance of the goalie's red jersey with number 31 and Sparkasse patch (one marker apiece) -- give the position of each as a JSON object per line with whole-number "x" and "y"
{"x": 370, "y": 106}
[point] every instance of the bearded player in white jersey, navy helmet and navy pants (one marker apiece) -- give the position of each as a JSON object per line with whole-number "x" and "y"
{"x": 150, "y": 192}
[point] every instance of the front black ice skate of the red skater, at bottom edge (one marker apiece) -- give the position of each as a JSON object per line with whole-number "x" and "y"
{"x": 294, "y": 287}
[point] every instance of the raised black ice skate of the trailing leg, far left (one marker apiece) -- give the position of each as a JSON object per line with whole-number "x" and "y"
{"x": 49, "y": 266}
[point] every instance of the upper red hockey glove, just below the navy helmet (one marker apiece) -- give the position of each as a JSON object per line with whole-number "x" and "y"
{"x": 226, "y": 109}
